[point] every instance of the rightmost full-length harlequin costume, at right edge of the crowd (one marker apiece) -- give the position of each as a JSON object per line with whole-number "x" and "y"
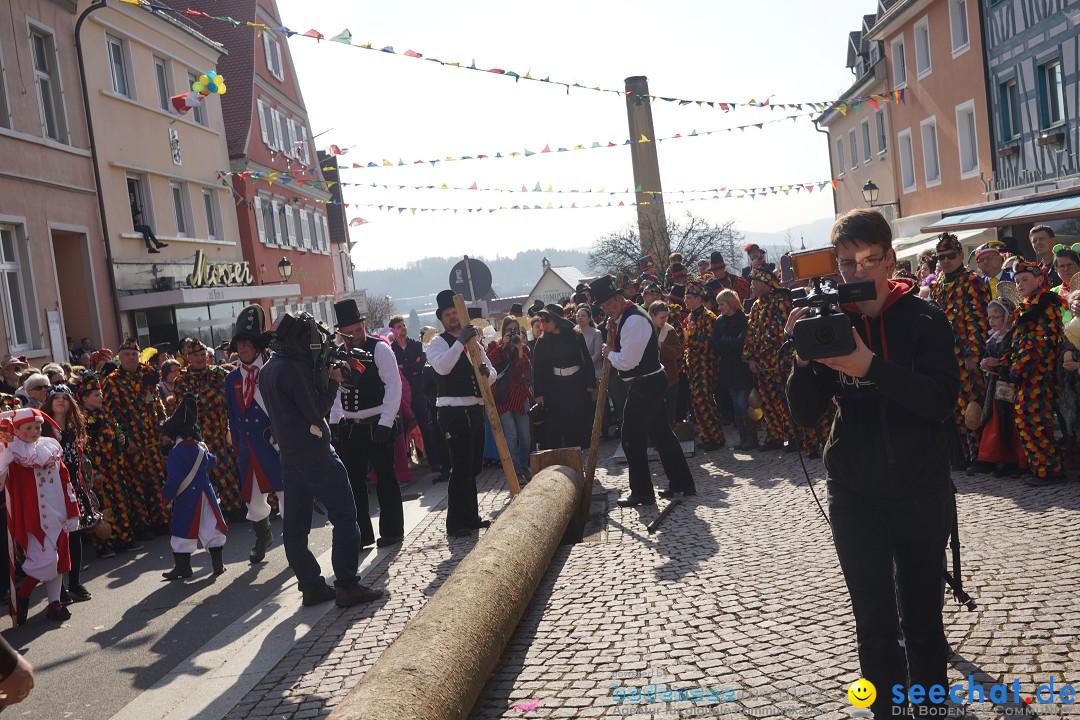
{"x": 1032, "y": 360}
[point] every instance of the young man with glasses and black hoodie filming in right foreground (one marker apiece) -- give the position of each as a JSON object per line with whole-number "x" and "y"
{"x": 887, "y": 457}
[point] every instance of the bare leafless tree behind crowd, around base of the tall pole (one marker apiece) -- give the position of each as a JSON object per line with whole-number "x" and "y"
{"x": 694, "y": 237}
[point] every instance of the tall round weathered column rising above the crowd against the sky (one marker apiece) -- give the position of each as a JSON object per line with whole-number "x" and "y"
{"x": 652, "y": 222}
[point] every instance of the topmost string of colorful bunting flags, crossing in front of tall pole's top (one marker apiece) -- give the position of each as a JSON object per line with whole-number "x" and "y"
{"x": 345, "y": 38}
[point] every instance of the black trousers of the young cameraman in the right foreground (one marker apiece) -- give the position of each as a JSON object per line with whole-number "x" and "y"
{"x": 892, "y": 554}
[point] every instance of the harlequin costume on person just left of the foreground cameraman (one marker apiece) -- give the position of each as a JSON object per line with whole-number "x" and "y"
{"x": 765, "y": 335}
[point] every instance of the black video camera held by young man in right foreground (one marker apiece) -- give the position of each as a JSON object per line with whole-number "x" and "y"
{"x": 827, "y": 332}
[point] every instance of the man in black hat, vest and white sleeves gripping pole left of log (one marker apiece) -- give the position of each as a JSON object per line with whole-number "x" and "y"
{"x": 461, "y": 410}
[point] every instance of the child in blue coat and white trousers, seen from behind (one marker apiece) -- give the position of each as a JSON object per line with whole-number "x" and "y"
{"x": 196, "y": 513}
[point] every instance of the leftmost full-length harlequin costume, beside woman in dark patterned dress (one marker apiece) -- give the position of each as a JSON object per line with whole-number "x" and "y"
{"x": 105, "y": 450}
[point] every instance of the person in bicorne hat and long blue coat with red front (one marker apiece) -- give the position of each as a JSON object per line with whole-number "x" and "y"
{"x": 253, "y": 439}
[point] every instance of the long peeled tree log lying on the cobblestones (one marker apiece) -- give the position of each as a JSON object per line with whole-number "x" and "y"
{"x": 439, "y": 664}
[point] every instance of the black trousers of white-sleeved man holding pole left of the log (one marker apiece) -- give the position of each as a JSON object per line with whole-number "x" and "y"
{"x": 465, "y": 438}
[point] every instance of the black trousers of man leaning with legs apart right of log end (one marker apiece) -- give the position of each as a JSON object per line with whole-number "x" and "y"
{"x": 645, "y": 424}
